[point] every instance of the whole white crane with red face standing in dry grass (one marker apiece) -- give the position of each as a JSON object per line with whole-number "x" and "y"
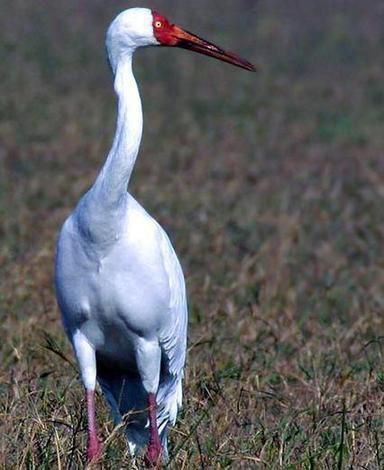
{"x": 119, "y": 283}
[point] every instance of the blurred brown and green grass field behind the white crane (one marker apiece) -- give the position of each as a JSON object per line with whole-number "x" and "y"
{"x": 271, "y": 187}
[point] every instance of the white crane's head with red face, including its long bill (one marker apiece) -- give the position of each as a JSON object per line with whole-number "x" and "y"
{"x": 137, "y": 27}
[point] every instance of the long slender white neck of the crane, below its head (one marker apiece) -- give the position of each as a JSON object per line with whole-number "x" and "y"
{"x": 111, "y": 184}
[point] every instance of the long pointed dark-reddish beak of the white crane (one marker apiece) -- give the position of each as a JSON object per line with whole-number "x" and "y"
{"x": 190, "y": 41}
